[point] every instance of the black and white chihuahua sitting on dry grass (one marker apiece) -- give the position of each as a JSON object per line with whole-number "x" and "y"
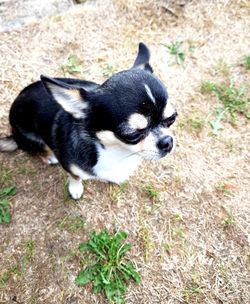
{"x": 94, "y": 131}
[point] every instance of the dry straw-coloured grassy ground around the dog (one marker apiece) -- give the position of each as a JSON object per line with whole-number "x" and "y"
{"x": 190, "y": 241}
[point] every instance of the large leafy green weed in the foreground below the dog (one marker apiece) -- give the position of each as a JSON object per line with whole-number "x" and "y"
{"x": 109, "y": 271}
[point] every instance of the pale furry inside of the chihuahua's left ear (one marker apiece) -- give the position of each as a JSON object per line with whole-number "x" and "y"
{"x": 69, "y": 99}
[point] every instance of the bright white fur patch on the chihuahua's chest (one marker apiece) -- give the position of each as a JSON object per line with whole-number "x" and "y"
{"x": 115, "y": 164}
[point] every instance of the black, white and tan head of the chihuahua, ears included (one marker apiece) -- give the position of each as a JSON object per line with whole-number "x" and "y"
{"x": 130, "y": 110}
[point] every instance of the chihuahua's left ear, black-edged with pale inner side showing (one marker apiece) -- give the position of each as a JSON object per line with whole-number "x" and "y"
{"x": 70, "y": 97}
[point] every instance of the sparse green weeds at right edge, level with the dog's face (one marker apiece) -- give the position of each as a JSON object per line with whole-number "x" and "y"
{"x": 233, "y": 102}
